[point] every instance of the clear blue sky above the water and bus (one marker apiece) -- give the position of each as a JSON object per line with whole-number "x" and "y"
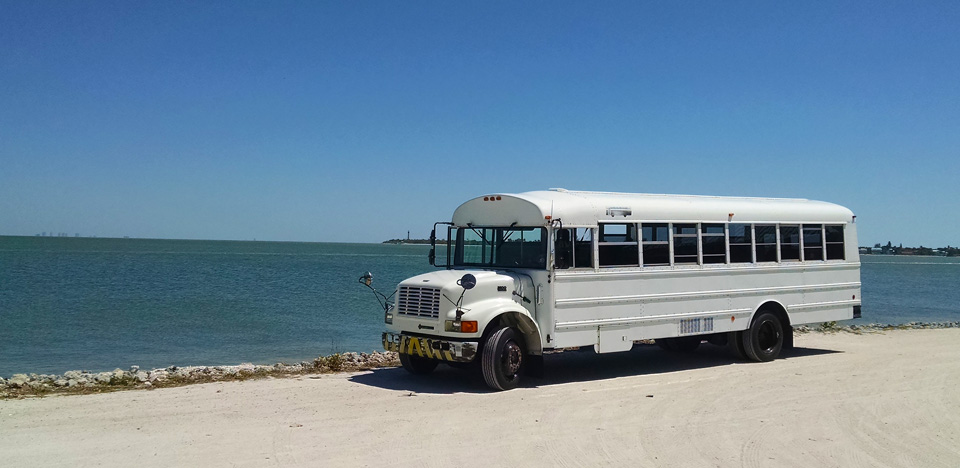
{"x": 359, "y": 121}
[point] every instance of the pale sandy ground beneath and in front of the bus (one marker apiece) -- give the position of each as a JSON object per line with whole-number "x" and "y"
{"x": 890, "y": 399}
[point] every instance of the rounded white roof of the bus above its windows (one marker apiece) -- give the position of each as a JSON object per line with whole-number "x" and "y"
{"x": 575, "y": 208}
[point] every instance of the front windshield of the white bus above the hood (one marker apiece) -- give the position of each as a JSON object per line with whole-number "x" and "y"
{"x": 501, "y": 247}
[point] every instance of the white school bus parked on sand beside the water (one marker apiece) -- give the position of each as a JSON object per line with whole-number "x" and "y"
{"x": 548, "y": 270}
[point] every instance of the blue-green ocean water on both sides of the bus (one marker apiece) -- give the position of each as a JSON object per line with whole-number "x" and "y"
{"x": 98, "y": 304}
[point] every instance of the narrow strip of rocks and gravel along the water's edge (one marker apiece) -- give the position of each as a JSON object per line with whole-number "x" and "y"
{"x": 84, "y": 382}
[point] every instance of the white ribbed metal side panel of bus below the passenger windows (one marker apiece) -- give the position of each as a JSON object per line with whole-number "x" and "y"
{"x": 633, "y": 305}
